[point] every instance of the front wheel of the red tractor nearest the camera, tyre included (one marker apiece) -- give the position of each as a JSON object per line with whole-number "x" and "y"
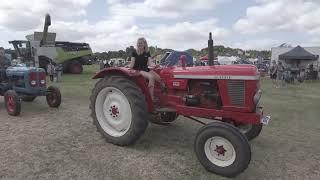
{"x": 222, "y": 149}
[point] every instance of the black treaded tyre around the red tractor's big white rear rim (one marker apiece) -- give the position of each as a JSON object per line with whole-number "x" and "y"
{"x": 135, "y": 97}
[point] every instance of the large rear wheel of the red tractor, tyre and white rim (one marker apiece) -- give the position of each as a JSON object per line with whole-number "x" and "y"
{"x": 118, "y": 109}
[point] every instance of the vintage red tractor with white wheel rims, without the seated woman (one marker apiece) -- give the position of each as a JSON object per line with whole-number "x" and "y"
{"x": 121, "y": 108}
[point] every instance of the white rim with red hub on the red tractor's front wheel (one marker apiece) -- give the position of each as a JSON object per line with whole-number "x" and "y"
{"x": 220, "y": 151}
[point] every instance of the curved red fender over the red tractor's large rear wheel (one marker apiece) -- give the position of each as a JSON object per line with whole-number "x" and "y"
{"x": 134, "y": 75}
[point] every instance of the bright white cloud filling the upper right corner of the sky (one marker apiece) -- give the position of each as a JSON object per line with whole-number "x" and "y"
{"x": 281, "y": 15}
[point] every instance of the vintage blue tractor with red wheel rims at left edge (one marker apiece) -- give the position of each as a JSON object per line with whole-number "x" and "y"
{"x": 20, "y": 82}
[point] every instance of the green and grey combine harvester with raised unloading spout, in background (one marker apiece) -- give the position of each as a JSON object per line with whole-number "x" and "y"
{"x": 41, "y": 48}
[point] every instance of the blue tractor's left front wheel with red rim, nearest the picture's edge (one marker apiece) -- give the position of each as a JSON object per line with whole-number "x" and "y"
{"x": 13, "y": 103}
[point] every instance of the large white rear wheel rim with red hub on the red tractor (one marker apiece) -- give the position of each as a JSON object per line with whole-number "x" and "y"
{"x": 113, "y": 111}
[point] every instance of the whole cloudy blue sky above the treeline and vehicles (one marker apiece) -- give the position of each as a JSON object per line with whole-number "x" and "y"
{"x": 178, "y": 24}
